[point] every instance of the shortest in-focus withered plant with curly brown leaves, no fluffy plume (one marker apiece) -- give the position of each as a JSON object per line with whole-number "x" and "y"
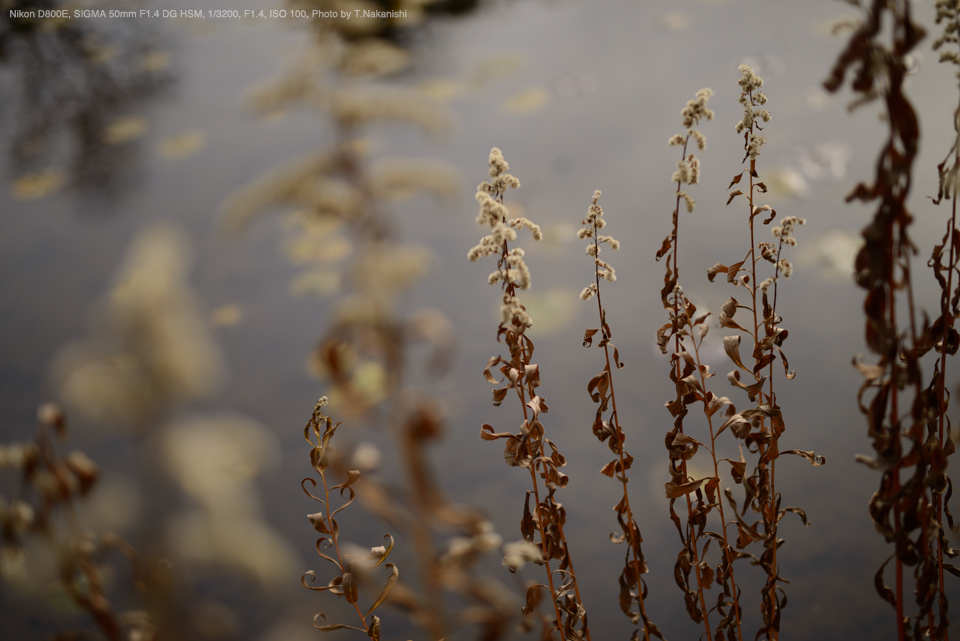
{"x": 347, "y": 583}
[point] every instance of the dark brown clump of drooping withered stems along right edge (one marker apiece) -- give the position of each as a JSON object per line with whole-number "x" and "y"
{"x": 906, "y": 421}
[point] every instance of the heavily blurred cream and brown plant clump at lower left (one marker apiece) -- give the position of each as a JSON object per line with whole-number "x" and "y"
{"x": 148, "y": 356}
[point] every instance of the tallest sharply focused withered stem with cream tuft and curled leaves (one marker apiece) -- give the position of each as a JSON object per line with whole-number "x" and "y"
{"x": 760, "y": 427}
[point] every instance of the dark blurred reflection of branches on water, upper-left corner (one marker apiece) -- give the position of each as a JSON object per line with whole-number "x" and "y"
{"x": 81, "y": 87}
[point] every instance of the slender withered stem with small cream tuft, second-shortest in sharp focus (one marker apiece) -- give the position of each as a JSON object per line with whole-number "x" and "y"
{"x": 607, "y": 428}
